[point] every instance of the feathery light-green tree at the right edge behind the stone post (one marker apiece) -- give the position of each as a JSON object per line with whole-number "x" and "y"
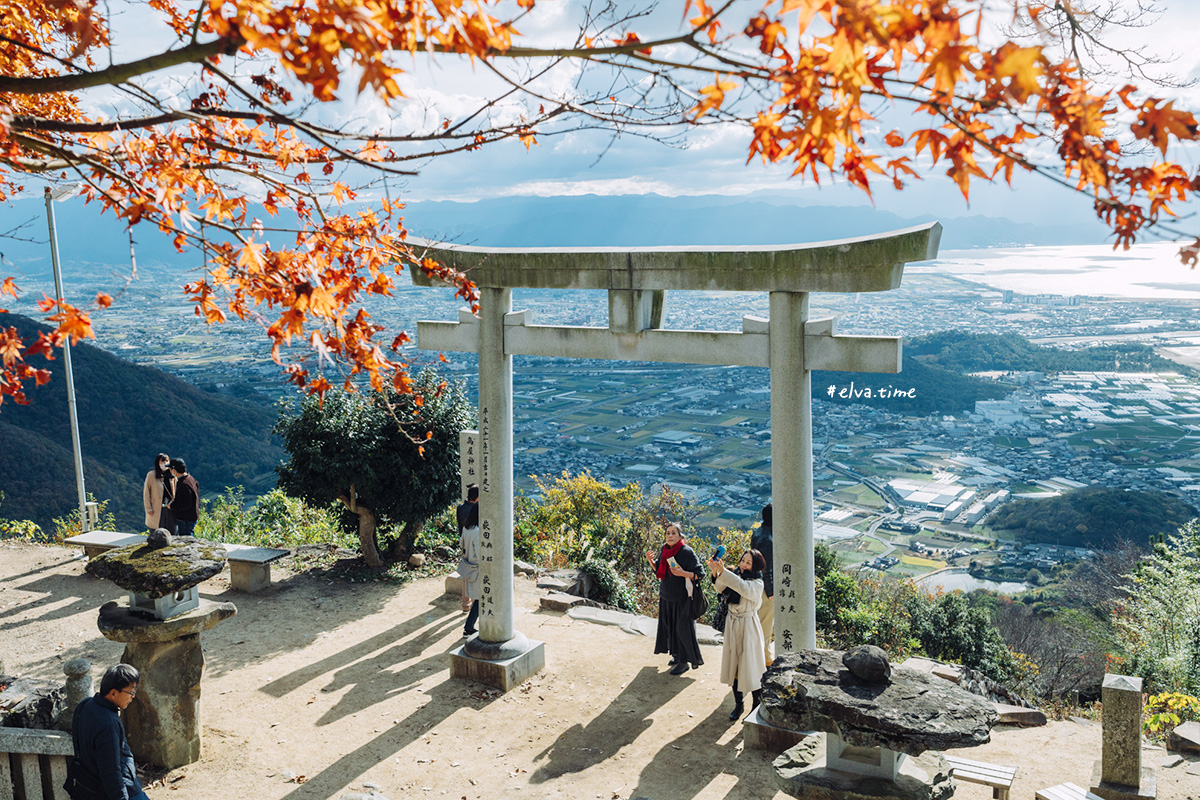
{"x": 1159, "y": 627}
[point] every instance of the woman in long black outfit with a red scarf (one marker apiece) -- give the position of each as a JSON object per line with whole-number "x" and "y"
{"x": 677, "y": 629}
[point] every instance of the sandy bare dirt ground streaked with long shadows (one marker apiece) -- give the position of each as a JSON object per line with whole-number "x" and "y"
{"x": 317, "y": 690}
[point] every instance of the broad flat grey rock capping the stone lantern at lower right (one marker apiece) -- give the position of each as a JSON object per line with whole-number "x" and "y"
{"x": 812, "y": 690}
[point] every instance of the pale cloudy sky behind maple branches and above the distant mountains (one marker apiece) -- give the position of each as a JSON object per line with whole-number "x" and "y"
{"x": 713, "y": 160}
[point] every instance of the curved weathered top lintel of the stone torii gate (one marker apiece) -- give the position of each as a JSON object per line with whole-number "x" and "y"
{"x": 863, "y": 264}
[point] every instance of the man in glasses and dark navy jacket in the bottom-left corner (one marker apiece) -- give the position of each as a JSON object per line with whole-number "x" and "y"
{"x": 103, "y": 753}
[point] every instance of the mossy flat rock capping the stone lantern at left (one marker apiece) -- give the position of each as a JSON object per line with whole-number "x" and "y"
{"x": 160, "y": 572}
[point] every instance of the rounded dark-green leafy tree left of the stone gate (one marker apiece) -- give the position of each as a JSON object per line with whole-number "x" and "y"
{"x": 391, "y": 460}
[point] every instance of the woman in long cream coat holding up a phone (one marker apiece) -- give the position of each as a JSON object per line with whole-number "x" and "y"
{"x": 742, "y": 657}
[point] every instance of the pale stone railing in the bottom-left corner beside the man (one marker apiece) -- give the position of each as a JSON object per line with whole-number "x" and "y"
{"x": 34, "y": 765}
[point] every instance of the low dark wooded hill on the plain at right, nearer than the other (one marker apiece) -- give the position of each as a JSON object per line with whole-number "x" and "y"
{"x": 1094, "y": 518}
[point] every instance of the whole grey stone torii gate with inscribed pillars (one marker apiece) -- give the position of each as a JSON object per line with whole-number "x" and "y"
{"x": 789, "y": 344}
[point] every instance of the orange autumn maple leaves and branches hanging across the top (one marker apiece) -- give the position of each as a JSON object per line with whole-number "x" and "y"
{"x": 236, "y": 164}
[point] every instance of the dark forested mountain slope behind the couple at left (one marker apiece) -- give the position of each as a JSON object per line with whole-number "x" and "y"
{"x": 128, "y": 414}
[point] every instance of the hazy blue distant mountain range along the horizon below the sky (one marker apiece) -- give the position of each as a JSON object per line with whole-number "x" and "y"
{"x": 89, "y": 239}
